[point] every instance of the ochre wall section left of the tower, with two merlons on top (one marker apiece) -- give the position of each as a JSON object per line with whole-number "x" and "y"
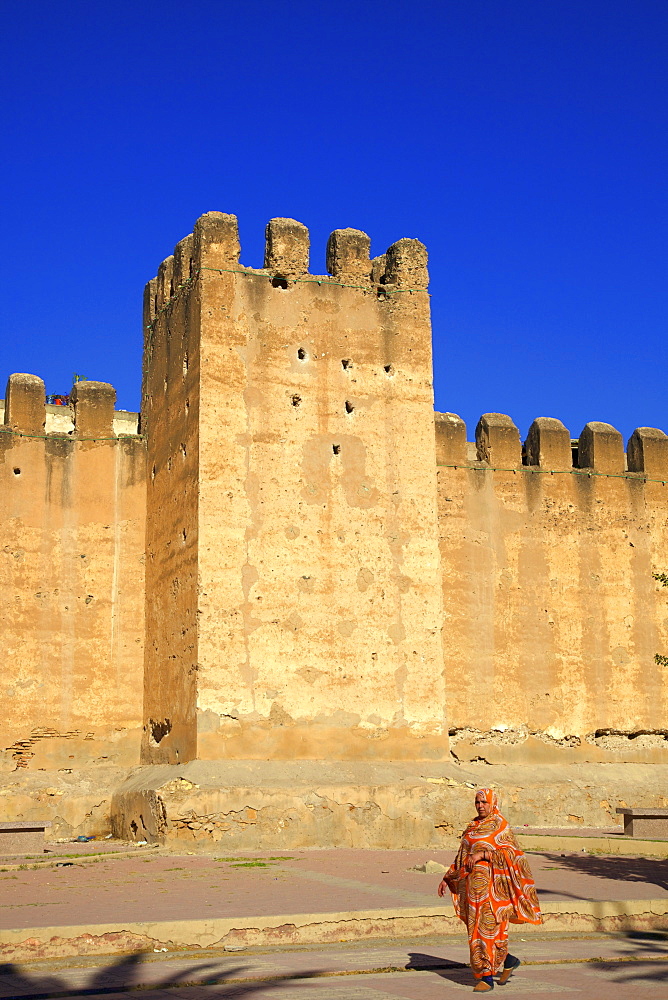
{"x": 72, "y": 509}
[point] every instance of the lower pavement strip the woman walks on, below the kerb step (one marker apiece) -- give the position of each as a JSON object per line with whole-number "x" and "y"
{"x": 595, "y": 968}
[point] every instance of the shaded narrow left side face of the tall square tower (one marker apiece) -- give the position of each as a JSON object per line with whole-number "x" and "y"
{"x": 170, "y": 420}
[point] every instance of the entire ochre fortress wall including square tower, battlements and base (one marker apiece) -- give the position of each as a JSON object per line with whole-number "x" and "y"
{"x": 300, "y": 607}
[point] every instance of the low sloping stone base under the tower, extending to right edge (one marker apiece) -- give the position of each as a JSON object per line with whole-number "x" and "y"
{"x": 255, "y": 805}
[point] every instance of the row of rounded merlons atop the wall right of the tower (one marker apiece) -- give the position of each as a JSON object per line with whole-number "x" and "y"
{"x": 549, "y": 447}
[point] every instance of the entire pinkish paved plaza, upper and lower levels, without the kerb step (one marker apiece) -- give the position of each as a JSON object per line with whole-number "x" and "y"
{"x": 147, "y": 887}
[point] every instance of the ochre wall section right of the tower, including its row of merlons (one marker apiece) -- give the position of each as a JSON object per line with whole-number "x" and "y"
{"x": 552, "y": 617}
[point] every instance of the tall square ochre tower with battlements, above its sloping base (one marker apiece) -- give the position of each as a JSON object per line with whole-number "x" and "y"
{"x": 313, "y": 526}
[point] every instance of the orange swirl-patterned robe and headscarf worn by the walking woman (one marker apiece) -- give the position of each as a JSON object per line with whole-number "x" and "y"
{"x": 495, "y": 893}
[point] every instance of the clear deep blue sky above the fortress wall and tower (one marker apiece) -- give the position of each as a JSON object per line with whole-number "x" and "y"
{"x": 525, "y": 142}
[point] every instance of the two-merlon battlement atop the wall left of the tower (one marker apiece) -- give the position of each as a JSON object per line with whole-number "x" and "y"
{"x": 90, "y": 415}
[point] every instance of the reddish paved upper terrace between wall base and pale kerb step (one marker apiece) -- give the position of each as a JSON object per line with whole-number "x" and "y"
{"x": 164, "y": 887}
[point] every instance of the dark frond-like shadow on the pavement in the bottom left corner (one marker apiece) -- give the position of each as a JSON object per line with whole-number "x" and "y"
{"x": 124, "y": 974}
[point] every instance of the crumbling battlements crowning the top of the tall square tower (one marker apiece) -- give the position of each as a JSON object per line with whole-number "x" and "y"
{"x": 214, "y": 246}
